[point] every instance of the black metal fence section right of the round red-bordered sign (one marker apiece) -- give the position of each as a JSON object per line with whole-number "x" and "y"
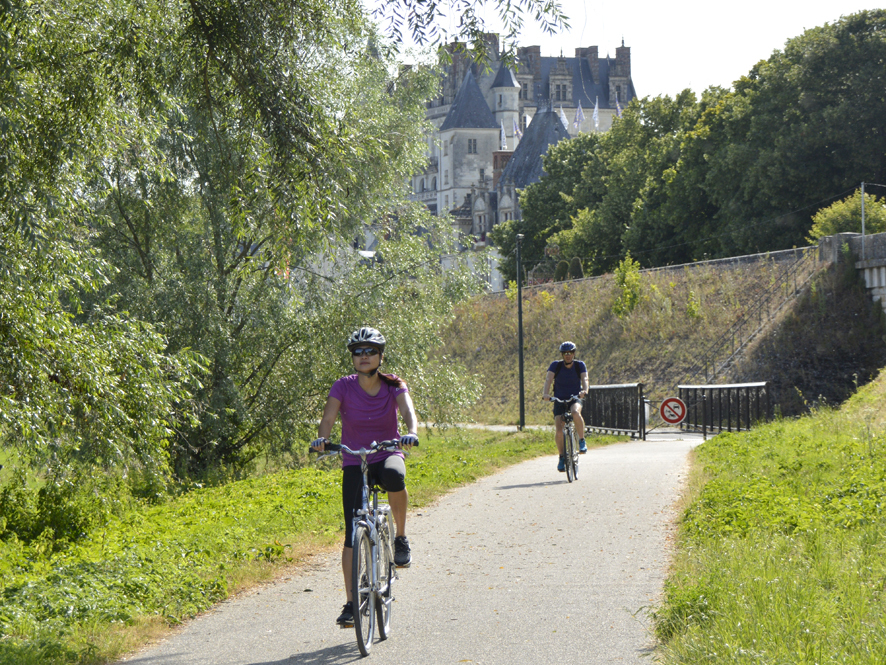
{"x": 726, "y": 408}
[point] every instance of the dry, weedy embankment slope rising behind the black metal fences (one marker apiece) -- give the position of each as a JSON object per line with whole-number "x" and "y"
{"x": 826, "y": 342}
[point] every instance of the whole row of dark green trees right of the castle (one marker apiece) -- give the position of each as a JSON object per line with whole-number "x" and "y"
{"x": 735, "y": 172}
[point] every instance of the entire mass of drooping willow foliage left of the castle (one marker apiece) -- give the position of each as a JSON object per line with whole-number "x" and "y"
{"x": 167, "y": 169}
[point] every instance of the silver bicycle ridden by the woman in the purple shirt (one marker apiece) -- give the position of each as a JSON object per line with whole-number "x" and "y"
{"x": 373, "y": 571}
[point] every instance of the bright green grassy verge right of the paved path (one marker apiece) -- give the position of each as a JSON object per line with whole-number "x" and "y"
{"x": 782, "y": 553}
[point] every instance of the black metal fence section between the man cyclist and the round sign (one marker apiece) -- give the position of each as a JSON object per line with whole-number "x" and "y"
{"x": 616, "y": 409}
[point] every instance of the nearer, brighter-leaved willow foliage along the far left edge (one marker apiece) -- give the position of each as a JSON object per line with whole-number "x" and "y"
{"x": 78, "y": 390}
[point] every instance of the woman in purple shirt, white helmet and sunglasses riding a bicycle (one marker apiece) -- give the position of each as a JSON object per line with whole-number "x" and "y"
{"x": 368, "y": 402}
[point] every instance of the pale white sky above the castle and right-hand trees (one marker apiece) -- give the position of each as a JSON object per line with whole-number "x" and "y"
{"x": 685, "y": 43}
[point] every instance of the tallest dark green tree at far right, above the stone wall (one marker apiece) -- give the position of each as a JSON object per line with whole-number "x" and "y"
{"x": 802, "y": 128}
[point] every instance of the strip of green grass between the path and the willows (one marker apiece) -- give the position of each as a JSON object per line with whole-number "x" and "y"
{"x": 154, "y": 566}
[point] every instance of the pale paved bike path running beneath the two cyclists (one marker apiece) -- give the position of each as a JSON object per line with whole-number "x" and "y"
{"x": 520, "y": 567}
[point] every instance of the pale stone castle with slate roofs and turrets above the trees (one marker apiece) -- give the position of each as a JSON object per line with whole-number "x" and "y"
{"x": 493, "y": 125}
